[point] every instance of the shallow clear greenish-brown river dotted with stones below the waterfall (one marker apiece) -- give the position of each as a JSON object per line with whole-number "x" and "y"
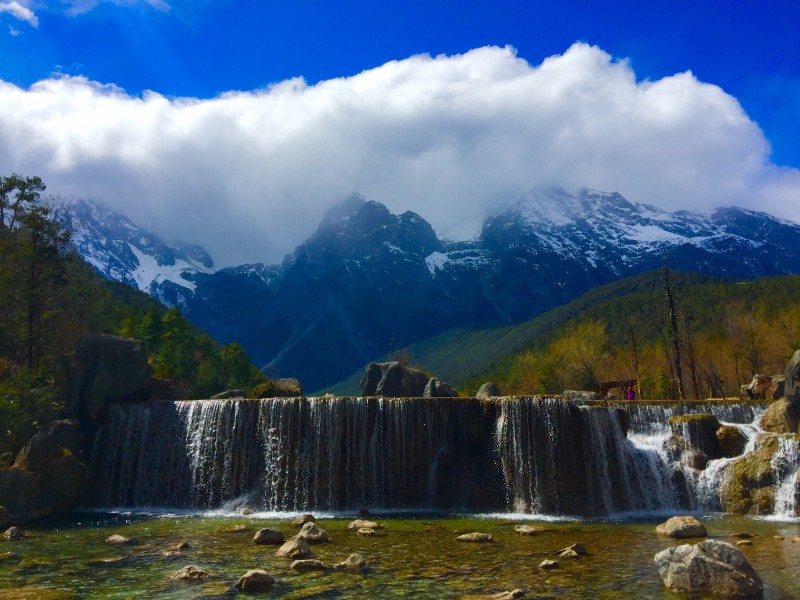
{"x": 417, "y": 558}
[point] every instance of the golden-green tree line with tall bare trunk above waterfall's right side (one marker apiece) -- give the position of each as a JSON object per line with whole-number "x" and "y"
{"x": 694, "y": 341}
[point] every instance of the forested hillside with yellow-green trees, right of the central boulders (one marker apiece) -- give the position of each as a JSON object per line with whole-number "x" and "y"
{"x": 726, "y": 332}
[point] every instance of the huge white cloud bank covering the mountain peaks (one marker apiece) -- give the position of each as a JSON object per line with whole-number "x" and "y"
{"x": 249, "y": 174}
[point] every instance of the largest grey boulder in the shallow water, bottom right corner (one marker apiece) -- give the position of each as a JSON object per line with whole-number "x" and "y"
{"x": 710, "y": 568}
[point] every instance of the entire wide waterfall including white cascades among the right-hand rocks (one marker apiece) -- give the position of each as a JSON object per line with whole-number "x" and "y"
{"x": 532, "y": 455}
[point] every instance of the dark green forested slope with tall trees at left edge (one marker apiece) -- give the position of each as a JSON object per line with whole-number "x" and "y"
{"x": 49, "y": 298}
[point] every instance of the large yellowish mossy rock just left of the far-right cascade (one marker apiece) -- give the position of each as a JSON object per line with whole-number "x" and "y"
{"x": 748, "y": 484}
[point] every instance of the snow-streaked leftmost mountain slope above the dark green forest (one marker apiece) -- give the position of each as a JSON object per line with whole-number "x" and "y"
{"x": 120, "y": 250}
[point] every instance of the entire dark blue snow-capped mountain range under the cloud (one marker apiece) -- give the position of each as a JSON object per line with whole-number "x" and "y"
{"x": 369, "y": 281}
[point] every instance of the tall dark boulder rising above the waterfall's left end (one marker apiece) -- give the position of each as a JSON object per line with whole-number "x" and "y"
{"x": 105, "y": 368}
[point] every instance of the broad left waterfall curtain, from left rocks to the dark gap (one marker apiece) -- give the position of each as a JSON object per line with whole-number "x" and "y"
{"x": 289, "y": 454}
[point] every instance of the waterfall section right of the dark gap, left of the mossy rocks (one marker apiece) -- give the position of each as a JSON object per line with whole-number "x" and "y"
{"x": 541, "y": 440}
